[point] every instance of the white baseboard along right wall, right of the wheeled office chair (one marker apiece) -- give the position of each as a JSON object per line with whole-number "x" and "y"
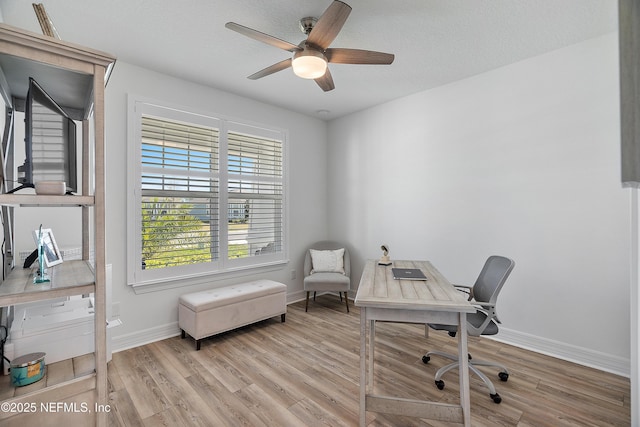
{"x": 571, "y": 353}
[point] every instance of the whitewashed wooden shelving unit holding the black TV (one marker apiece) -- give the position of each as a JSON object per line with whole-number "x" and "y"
{"x": 75, "y": 76}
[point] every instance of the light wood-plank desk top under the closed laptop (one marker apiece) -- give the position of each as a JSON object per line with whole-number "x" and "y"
{"x": 379, "y": 289}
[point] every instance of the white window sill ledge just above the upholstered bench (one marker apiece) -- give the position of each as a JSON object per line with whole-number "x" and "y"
{"x": 186, "y": 281}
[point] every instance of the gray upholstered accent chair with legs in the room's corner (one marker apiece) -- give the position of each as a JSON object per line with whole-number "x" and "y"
{"x": 321, "y": 277}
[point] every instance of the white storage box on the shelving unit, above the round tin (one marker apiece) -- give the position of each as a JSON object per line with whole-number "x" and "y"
{"x": 61, "y": 329}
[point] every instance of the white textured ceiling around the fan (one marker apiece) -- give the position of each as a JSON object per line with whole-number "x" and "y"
{"x": 435, "y": 41}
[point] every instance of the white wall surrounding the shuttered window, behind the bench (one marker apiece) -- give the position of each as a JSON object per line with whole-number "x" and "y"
{"x": 151, "y": 316}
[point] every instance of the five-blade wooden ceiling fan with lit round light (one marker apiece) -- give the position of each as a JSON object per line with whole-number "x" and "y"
{"x": 311, "y": 56}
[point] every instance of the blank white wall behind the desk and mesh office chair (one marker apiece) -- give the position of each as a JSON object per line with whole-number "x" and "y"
{"x": 521, "y": 161}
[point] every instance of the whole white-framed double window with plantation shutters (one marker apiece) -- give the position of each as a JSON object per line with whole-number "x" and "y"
{"x": 207, "y": 195}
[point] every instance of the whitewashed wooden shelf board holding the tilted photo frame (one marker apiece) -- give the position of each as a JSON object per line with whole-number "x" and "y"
{"x": 66, "y": 279}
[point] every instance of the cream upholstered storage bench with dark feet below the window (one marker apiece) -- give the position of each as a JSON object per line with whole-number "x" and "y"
{"x": 206, "y": 313}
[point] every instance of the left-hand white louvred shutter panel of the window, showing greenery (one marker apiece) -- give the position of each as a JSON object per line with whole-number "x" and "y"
{"x": 180, "y": 188}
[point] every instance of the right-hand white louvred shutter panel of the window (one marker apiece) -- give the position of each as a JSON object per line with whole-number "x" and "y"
{"x": 255, "y": 194}
